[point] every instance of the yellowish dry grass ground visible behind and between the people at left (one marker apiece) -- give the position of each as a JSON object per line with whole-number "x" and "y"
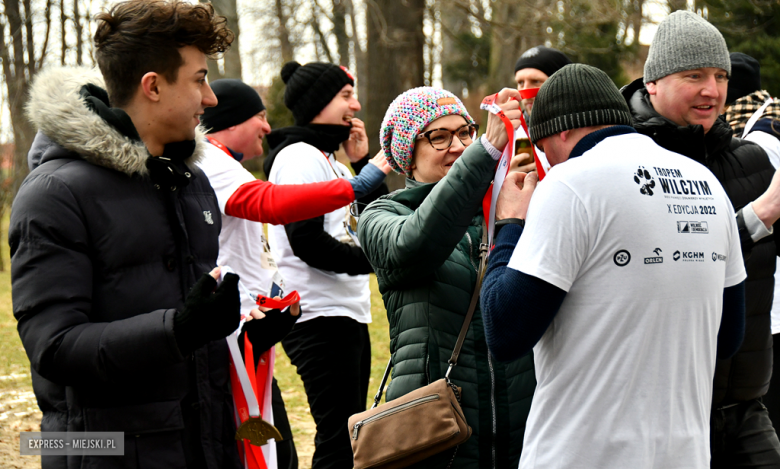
{"x": 19, "y": 411}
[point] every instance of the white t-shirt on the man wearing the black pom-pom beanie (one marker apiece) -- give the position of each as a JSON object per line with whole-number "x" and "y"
{"x": 323, "y": 293}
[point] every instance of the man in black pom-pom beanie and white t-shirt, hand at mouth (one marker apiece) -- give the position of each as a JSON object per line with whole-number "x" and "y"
{"x": 329, "y": 345}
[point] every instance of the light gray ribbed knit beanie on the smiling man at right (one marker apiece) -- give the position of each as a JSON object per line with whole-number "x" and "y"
{"x": 685, "y": 41}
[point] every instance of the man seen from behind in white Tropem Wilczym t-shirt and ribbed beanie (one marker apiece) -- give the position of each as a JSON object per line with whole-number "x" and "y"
{"x": 629, "y": 255}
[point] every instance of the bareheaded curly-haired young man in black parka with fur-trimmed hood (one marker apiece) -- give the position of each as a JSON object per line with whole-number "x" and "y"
{"x": 110, "y": 236}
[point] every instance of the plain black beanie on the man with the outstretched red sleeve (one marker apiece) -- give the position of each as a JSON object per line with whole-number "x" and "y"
{"x": 237, "y": 103}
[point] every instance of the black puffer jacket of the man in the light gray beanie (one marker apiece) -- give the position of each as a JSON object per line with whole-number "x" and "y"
{"x": 745, "y": 173}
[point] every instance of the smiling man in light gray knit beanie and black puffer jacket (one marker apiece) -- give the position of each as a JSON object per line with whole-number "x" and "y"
{"x": 678, "y": 103}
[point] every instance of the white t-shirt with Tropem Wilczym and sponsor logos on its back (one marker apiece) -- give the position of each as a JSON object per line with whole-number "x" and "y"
{"x": 625, "y": 369}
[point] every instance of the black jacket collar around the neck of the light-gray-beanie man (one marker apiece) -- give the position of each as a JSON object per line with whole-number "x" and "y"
{"x": 689, "y": 140}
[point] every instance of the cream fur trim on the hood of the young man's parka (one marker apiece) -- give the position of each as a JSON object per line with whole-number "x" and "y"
{"x": 58, "y": 111}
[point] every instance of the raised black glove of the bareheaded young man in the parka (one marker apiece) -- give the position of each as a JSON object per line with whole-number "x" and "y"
{"x": 207, "y": 316}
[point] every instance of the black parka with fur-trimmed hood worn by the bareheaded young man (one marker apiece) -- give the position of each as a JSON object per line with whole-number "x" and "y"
{"x": 101, "y": 261}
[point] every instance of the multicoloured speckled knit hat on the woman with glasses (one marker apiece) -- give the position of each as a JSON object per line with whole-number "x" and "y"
{"x": 407, "y": 115}
